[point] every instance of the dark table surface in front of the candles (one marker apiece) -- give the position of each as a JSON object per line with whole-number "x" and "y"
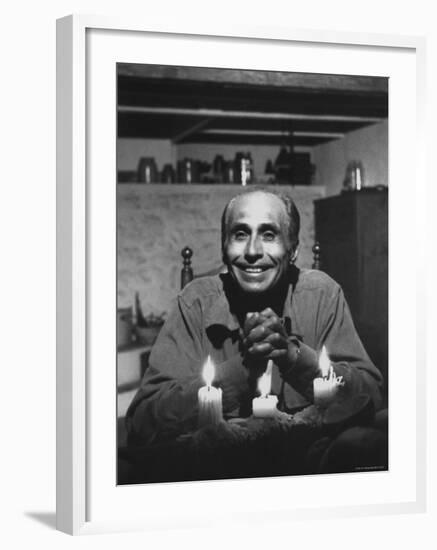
{"x": 250, "y": 448}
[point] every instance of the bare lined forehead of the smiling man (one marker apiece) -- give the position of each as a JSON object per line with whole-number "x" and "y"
{"x": 257, "y": 207}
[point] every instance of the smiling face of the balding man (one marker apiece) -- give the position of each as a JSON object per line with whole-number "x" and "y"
{"x": 257, "y": 247}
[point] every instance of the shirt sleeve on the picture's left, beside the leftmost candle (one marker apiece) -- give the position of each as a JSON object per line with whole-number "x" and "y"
{"x": 166, "y": 403}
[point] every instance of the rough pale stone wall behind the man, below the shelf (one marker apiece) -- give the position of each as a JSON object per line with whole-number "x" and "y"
{"x": 155, "y": 222}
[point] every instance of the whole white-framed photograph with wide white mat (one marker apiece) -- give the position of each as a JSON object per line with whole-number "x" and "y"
{"x": 158, "y": 130}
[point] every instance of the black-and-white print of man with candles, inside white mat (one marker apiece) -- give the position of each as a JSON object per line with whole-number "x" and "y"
{"x": 252, "y": 273}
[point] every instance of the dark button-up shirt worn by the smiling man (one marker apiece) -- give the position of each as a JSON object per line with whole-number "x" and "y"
{"x": 204, "y": 322}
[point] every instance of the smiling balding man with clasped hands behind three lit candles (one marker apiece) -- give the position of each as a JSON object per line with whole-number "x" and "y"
{"x": 264, "y": 308}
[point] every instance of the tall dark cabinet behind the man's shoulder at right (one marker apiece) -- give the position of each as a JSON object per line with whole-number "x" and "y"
{"x": 352, "y": 230}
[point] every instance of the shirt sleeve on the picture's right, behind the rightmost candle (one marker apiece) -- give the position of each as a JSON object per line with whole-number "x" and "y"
{"x": 335, "y": 330}
